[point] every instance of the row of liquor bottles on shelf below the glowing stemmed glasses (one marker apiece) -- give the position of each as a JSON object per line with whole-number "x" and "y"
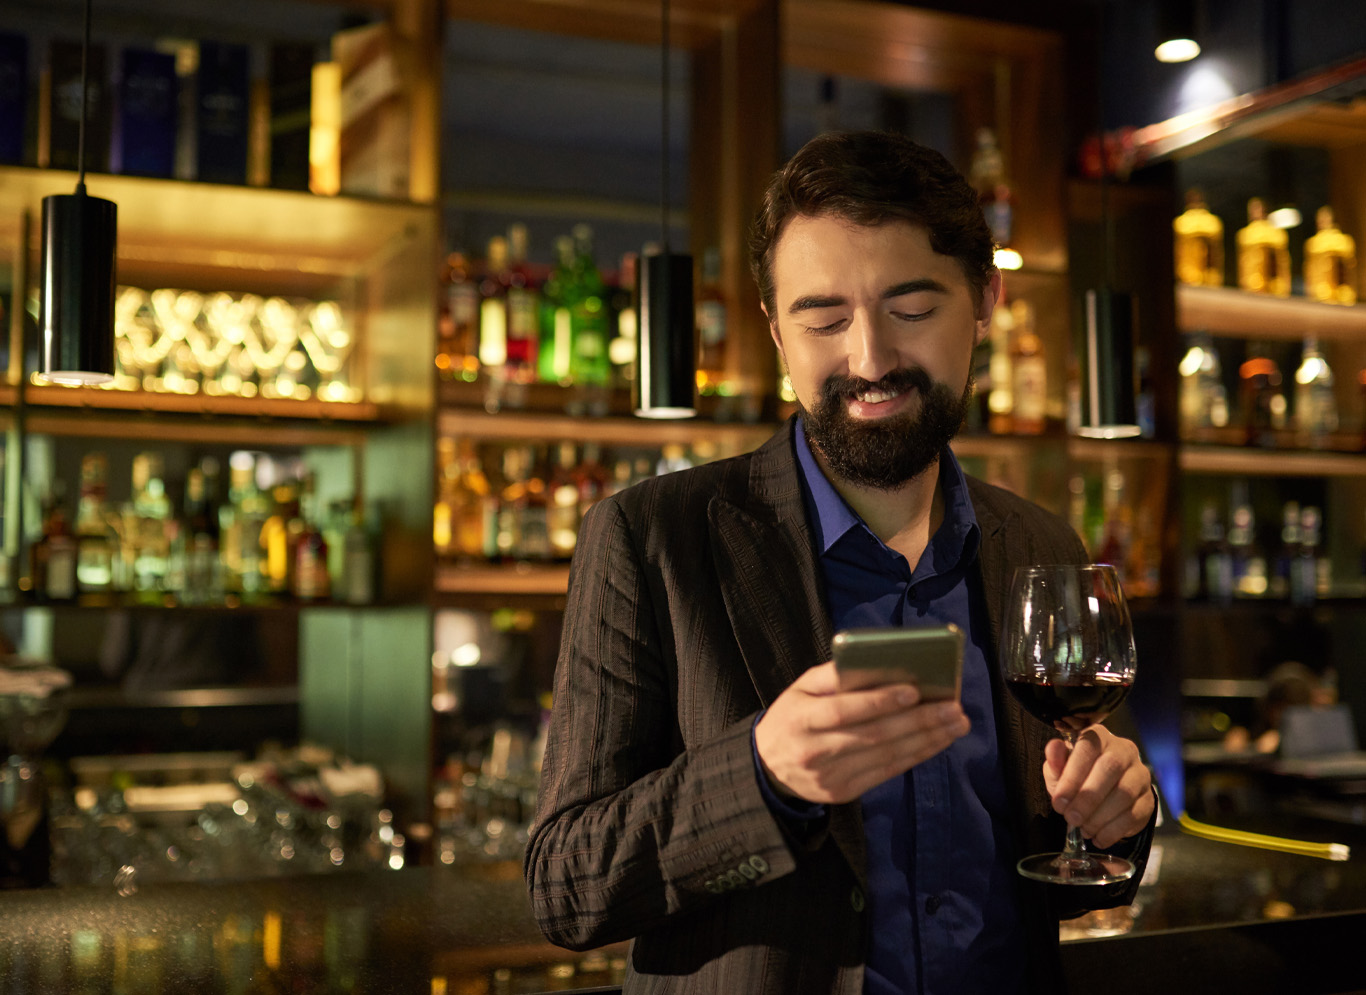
{"x": 266, "y": 539}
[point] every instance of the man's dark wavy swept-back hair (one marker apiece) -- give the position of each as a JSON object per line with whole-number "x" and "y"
{"x": 871, "y": 178}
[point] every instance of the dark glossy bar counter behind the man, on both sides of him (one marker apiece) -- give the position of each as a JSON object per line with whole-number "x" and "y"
{"x": 1219, "y": 918}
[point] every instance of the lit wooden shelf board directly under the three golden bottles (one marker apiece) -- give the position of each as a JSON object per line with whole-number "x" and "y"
{"x": 1237, "y": 314}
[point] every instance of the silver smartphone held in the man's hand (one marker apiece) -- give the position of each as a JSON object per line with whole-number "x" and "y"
{"x": 930, "y": 658}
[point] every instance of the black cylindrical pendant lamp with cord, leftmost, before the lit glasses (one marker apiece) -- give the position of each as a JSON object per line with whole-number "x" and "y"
{"x": 76, "y": 295}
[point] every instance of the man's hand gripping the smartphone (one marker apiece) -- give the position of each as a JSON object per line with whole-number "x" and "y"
{"x": 826, "y": 746}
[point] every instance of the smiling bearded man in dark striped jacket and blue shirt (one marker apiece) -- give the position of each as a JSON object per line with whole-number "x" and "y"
{"x": 710, "y": 789}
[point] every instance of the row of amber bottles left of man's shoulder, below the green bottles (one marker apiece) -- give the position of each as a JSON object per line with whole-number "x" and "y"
{"x": 524, "y": 502}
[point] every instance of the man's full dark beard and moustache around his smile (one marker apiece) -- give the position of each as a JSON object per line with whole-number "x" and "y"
{"x": 884, "y": 453}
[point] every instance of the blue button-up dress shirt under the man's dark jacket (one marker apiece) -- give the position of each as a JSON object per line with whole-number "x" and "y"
{"x": 942, "y": 881}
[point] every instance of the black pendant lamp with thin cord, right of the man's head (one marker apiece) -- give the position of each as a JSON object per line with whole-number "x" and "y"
{"x": 1110, "y": 387}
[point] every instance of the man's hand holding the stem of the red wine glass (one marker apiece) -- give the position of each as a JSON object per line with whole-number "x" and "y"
{"x": 1100, "y": 785}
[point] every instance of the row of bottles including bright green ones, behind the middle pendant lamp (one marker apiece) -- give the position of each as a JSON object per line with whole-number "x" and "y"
{"x": 562, "y": 323}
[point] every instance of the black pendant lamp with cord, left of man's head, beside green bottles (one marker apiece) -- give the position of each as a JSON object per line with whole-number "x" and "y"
{"x": 666, "y": 375}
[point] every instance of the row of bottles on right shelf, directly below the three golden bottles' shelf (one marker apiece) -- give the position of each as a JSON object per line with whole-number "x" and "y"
{"x": 1260, "y": 408}
